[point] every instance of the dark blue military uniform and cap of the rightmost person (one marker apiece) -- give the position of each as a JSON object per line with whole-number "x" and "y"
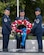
{"x": 37, "y": 29}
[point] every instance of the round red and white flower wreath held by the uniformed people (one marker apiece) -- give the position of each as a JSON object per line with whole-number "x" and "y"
{"x": 21, "y": 23}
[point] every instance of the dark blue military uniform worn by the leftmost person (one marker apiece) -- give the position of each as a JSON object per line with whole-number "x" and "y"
{"x": 6, "y": 30}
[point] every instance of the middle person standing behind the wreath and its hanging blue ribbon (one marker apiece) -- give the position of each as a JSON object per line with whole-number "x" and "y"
{"x": 21, "y": 41}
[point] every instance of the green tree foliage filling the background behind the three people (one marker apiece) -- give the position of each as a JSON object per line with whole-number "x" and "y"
{"x": 28, "y": 5}
